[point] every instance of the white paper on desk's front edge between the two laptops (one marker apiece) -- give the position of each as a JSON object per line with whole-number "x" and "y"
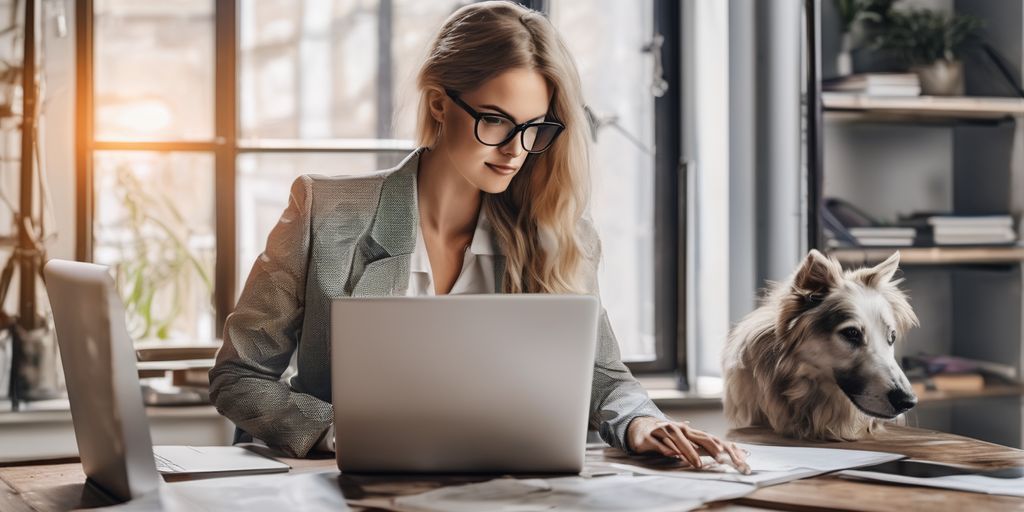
{"x": 286, "y": 492}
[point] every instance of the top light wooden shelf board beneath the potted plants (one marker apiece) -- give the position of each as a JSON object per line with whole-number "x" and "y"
{"x": 924, "y": 108}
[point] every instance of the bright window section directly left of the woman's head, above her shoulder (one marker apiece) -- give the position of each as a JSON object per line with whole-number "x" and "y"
{"x": 324, "y": 88}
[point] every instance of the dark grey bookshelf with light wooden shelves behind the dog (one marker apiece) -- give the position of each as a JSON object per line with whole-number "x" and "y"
{"x": 893, "y": 156}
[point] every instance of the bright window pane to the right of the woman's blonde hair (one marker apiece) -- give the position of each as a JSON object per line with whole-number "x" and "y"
{"x": 608, "y": 40}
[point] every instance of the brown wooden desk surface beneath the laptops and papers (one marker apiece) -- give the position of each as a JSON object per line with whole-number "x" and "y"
{"x": 59, "y": 485}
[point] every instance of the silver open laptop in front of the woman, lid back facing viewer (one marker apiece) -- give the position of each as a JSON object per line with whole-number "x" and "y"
{"x": 462, "y": 385}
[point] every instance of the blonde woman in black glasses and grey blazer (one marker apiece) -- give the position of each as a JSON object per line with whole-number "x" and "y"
{"x": 493, "y": 202}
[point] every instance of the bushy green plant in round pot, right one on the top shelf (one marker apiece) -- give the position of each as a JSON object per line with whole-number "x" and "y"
{"x": 931, "y": 44}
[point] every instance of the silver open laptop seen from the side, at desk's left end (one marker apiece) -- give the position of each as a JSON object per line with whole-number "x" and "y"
{"x": 111, "y": 426}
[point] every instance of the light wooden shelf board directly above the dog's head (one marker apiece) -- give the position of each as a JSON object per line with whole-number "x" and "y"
{"x": 931, "y": 255}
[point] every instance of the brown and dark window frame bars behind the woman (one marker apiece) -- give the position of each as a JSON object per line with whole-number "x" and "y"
{"x": 227, "y": 148}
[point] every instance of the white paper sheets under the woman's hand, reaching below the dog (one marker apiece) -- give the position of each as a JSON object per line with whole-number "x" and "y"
{"x": 771, "y": 465}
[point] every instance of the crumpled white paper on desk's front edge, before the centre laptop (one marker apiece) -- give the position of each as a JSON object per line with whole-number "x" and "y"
{"x": 651, "y": 494}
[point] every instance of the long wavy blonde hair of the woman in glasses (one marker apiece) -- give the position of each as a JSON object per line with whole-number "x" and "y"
{"x": 536, "y": 219}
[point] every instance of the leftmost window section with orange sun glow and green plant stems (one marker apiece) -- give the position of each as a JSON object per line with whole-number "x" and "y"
{"x": 152, "y": 159}
